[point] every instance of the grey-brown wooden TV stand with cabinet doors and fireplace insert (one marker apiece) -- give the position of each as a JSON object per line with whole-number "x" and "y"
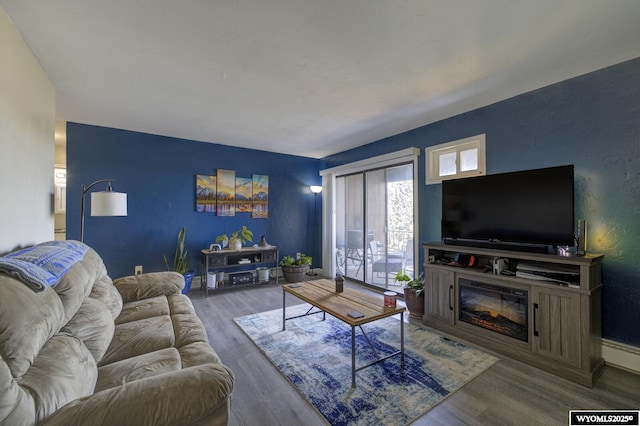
{"x": 564, "y": 322}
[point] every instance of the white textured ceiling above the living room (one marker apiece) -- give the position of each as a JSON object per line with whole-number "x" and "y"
{"x": 310, "y": 77}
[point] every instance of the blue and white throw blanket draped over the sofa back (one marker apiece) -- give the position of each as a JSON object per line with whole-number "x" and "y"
{"x": 42, "y": 265}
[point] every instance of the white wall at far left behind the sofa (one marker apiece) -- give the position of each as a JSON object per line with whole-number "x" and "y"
{"x": 27, "y": 120}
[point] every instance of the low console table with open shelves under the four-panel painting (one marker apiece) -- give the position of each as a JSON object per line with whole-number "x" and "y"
{"x": 225, "y": 260}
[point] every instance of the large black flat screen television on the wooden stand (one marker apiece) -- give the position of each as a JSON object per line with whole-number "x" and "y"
{"x": 529, "y": 210}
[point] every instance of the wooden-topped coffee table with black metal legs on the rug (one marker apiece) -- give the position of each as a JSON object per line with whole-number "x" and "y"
{"x": 351, "y": 306}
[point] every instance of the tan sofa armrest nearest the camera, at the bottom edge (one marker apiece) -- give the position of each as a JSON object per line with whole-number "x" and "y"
{"x": 176, "y": 398}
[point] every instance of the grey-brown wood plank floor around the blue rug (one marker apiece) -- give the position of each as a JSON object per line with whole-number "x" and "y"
{"x": 509, "y": 393}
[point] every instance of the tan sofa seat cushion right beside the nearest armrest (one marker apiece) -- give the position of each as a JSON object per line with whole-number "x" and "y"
{"x": 138, "y": 367}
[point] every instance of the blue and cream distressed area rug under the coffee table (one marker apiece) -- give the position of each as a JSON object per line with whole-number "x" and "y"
{"x": 315, "y": 356}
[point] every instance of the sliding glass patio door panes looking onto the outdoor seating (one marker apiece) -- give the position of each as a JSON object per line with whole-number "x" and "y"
{"x": 374, "y": 225}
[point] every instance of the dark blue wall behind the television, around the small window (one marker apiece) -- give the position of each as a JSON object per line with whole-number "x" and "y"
{"x": 591, "y": 121}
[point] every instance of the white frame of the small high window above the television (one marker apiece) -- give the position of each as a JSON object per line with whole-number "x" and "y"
{"x": 433, "y": 154}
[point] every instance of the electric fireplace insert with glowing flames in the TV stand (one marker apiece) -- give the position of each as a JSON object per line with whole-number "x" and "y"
{"x": 500, "y": 309}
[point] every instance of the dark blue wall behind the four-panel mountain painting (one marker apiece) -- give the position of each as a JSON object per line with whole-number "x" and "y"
{"x": 158, "y": 175}
